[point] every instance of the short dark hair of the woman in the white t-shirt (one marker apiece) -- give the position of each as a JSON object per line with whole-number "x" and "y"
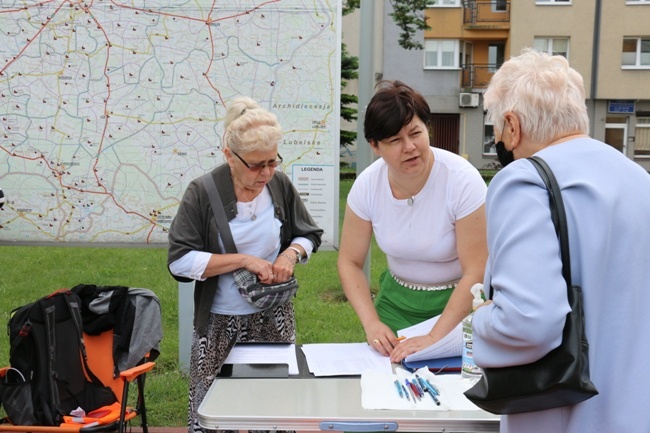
{"x": 393, "y": 105}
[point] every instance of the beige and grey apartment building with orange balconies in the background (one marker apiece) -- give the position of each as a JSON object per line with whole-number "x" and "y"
{"x": 608, "y": 42}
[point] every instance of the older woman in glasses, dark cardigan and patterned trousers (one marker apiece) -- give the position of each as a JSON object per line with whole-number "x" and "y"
{"x": 272, "y": 231}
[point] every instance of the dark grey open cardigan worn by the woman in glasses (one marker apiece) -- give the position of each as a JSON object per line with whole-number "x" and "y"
{"x": 194, "y": 228}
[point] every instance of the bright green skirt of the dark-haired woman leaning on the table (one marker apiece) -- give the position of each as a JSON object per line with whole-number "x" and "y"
{"x": 399, "y": 307}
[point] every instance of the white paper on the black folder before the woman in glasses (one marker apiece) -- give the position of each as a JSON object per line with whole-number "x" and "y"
{"x": 264, "y": 354}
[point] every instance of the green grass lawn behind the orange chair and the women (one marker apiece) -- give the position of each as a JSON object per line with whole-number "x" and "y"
{"x": 322, "y": 314}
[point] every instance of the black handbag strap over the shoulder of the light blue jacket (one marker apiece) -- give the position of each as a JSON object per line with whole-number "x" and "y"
{"x": 558, "y": 213}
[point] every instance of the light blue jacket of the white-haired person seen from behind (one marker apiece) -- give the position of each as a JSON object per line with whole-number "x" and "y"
{"x": 607, "y": 199}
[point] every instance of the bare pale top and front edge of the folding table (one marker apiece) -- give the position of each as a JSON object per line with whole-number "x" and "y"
{"x": 330, "y": 403}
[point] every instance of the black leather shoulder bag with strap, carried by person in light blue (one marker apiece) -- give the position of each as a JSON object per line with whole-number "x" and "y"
{"x": 560, "y": 378}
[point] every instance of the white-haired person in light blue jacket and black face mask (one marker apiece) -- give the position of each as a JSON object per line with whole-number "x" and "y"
{"x": 537, "y": 104}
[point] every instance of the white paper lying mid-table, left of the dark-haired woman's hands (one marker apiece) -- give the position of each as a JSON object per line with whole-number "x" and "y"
{"x": 340, "y": 359}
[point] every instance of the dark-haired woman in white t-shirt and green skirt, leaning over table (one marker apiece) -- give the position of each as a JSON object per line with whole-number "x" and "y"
{"x": 425, "y": 207}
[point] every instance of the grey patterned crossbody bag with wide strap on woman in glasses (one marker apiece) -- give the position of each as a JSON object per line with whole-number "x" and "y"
{"x": 262, "y": 296}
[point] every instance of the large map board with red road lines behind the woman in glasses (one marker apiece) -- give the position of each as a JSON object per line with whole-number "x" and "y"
{"x": 109, "y": 108}
